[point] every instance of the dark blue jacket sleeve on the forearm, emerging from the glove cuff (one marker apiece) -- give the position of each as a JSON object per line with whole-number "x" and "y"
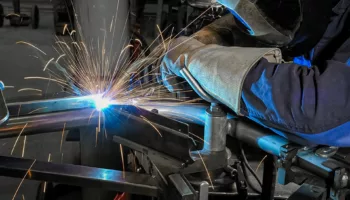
{"x": 311, "y": 103}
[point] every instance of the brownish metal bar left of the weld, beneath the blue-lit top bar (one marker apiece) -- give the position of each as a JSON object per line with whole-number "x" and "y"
{"x": 45, "y": 123}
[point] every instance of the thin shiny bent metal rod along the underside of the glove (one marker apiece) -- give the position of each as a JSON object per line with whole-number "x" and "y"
{"x": 195, "y": 86}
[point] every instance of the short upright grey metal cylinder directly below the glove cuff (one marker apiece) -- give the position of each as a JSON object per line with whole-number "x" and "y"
{"x": 215, "y": 130}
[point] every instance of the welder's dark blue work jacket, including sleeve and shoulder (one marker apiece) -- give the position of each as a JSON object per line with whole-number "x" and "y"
{"x": 309, "y": 99}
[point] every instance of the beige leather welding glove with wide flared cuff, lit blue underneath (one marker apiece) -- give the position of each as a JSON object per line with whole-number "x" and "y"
{"x": 220, "y": 70}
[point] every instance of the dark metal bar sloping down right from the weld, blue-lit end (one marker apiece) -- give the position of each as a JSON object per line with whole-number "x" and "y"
{"x": 148, "y": 129}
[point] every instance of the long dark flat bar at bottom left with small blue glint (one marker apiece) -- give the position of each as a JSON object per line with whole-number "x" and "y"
{"x": 80, "y": 176}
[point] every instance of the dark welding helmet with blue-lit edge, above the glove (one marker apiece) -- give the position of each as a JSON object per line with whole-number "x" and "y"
{"x": 298, "y": 24}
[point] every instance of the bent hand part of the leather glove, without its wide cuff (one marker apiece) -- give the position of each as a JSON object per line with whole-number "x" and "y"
{"x": 178, "y": 54}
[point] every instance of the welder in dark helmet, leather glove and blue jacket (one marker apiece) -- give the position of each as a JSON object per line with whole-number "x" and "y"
{"x": 283, "y": 64}
